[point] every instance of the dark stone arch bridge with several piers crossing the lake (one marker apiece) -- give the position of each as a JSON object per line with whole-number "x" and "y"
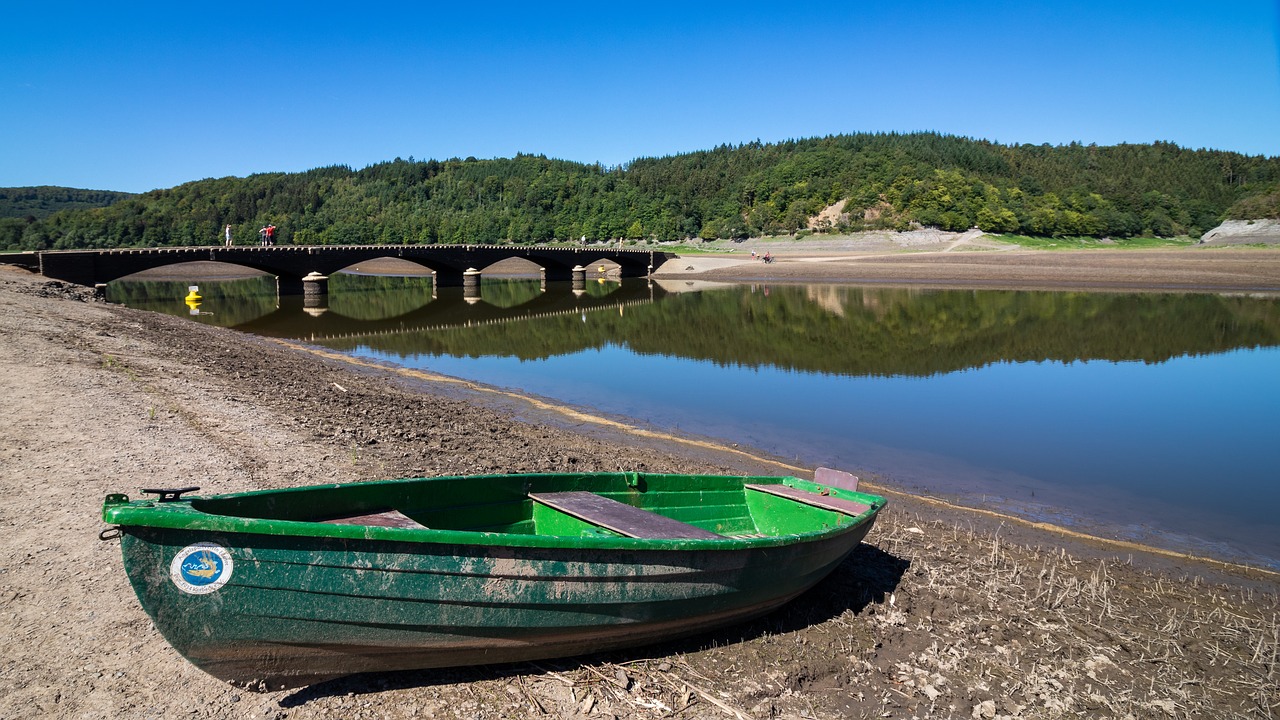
{"x": 454, "y": 265}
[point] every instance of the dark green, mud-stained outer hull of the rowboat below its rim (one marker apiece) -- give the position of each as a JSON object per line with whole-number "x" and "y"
{"x": 363, "y": 607}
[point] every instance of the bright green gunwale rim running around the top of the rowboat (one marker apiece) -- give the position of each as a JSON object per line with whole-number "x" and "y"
{"x": 181, "y": 516}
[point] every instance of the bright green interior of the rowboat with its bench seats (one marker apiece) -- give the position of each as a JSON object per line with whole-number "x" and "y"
{"x": 589, "y": 505}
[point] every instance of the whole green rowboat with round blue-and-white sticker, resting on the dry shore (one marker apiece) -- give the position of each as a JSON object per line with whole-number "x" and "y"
{"x": 285, "y": 589}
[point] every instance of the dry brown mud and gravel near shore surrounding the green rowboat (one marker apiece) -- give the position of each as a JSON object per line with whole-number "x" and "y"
{"x": 941, "y": 614}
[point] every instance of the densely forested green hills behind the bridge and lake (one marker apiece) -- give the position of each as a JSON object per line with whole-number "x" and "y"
{"x": 833, "y": 184}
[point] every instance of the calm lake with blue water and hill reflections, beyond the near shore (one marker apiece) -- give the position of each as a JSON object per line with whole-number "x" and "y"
{"x": 1145, "y": 417}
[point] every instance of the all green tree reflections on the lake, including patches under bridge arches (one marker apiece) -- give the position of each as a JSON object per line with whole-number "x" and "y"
{"x": 825, "y": 329}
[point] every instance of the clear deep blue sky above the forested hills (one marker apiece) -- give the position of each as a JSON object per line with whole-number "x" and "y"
{"x": 136, "y": 97}
